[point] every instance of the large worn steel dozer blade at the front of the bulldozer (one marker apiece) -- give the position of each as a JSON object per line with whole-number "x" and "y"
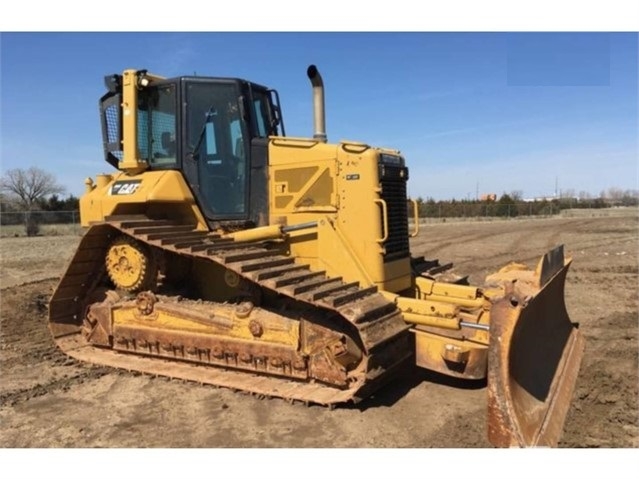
{"x": 534, "y": 357}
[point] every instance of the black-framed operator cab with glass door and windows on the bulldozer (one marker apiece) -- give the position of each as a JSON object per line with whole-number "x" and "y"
{"x": 214, "y": 130}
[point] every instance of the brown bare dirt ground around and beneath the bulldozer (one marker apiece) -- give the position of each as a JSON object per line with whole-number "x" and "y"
{"x": 48, "y": 400}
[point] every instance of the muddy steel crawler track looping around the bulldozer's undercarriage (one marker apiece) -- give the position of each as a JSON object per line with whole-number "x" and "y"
{"x": 375, "y": 323}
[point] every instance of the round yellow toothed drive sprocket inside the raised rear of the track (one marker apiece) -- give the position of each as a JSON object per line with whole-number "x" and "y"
{"x": 130, "y": 265}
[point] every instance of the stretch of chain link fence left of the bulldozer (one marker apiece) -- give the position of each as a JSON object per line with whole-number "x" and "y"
{"x": 44, "y": 223}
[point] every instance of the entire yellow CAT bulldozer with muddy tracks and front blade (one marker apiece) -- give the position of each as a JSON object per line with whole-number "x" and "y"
{"x": 224, "y": 252}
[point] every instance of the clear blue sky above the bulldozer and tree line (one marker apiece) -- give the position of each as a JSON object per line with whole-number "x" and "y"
{"x": 487, "y": 112}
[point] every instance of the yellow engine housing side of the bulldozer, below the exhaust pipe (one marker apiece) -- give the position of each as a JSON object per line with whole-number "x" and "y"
{"x": 339, "y": 186}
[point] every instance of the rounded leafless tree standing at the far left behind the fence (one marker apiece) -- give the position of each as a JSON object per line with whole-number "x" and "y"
{"x": 25, "y": 187}
